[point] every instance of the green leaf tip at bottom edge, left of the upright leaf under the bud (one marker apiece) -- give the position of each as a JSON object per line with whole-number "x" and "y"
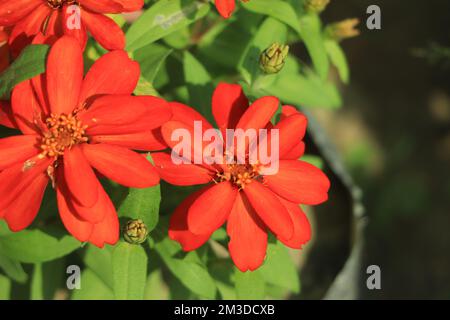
{"x": 92, "y": 288}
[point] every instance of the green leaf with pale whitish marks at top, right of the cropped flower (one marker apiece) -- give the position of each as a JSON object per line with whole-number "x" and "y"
{"x": 163, "y": 18}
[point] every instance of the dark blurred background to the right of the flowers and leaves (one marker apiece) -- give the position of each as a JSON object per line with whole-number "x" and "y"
{"x": 393, "y": 134}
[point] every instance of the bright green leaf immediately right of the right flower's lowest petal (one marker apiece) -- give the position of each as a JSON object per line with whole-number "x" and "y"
{"x": 279, "y": 269}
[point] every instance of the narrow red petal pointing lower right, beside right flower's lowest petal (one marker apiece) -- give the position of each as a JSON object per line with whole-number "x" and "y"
{"x": 269, "y": 209}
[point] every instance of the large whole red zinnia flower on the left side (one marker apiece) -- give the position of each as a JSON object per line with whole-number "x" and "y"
{"x": 71, "y": 125}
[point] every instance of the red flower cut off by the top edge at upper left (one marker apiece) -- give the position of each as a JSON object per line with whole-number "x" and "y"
{"x": 43, "y": 20}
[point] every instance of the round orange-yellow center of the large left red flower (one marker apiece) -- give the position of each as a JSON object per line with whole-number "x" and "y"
{"x": 63, "y": 132}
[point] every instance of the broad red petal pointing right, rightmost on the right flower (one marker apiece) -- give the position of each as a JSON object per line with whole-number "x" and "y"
{"x": 299, "y": 182}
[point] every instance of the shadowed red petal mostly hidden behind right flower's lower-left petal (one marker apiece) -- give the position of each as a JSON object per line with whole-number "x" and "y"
{"x": 178, "y": 228}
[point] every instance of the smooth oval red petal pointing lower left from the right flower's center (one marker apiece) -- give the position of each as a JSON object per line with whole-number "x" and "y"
{"x": 211, "y": 209}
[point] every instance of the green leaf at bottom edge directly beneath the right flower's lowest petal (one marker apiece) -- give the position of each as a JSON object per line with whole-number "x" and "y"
{"x": 249, "y": 285}
